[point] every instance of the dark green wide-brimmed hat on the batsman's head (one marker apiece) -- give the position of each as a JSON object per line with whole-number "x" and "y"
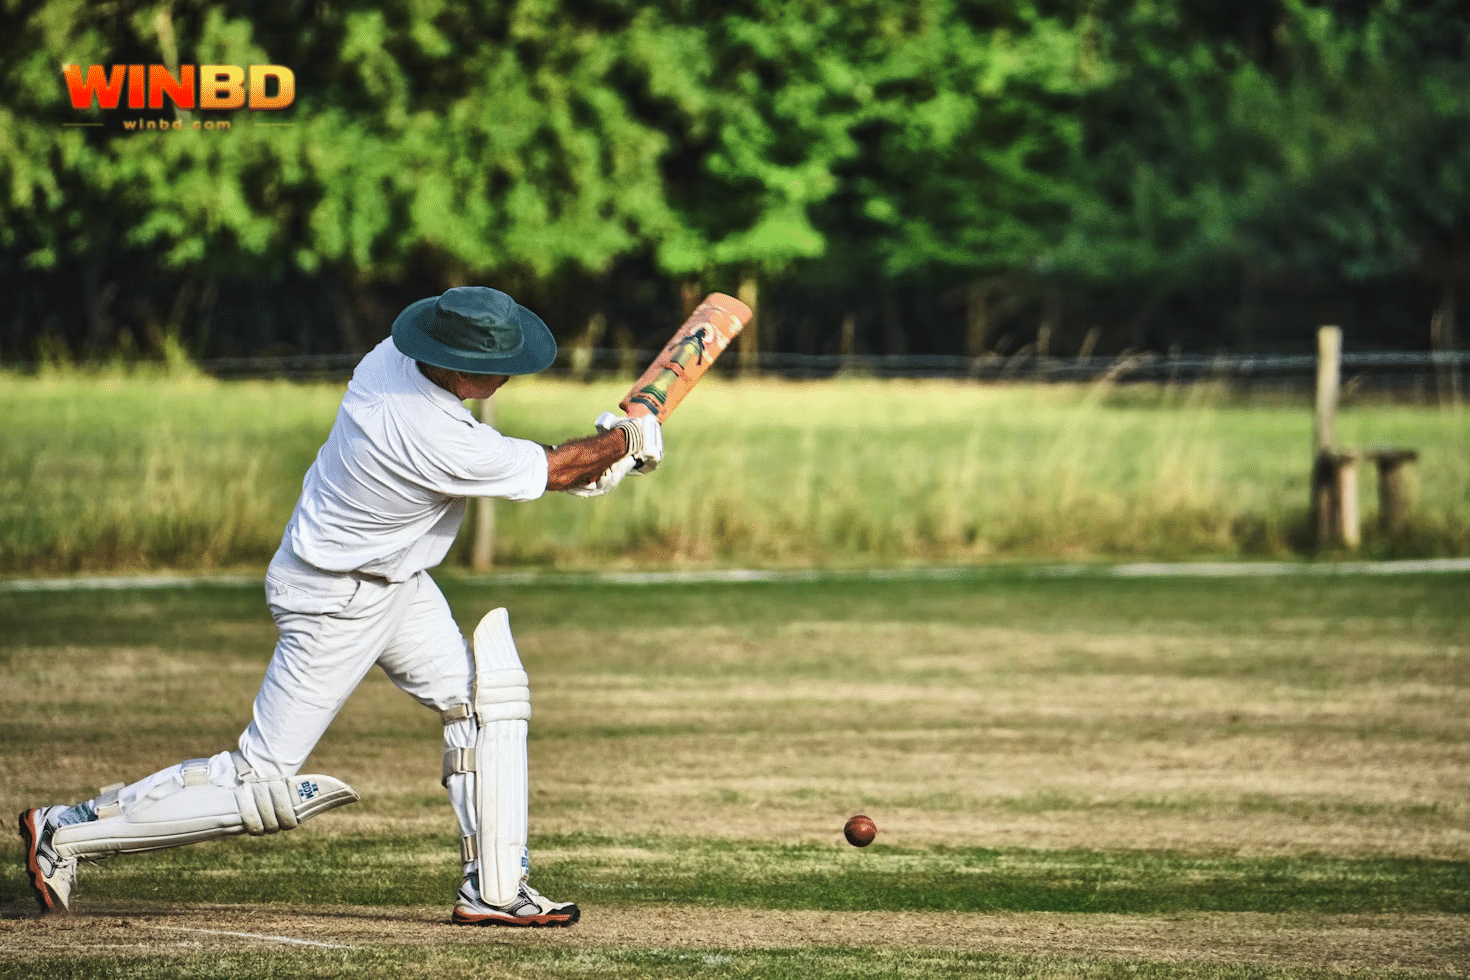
{"x": 476, "y": 330}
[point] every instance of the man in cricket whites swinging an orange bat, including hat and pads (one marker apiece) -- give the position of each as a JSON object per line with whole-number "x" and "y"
{"x": 349, "y": 588}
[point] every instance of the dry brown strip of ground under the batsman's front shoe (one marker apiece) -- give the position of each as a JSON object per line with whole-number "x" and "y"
{"x": 1347, "y": 944}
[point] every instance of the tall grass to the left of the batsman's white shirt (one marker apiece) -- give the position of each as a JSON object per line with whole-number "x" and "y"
{"x": 136, "y": 471}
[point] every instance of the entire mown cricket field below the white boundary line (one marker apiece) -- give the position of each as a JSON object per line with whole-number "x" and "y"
{"x": 1072, "y": 778}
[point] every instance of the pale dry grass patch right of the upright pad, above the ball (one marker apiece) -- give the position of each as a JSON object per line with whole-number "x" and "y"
{"x": 1005, "y": 737}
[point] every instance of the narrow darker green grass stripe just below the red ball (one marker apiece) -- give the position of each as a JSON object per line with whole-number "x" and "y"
{"x": 359, "y": 871}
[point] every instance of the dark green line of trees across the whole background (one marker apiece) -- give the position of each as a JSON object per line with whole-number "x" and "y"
{"x": 958, "y": 177}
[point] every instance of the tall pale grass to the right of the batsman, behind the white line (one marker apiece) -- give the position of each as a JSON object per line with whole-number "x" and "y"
{"x": 862, "y": 469}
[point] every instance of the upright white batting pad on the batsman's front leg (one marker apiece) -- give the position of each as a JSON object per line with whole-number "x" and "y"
{"x": 499, "y": 766}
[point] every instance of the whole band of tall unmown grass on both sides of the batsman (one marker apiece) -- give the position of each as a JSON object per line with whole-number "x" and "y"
{"x": 111, "y": 472}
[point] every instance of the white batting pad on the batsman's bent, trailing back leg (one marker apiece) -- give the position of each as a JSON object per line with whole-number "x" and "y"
{"x": 192, "y": 809}
